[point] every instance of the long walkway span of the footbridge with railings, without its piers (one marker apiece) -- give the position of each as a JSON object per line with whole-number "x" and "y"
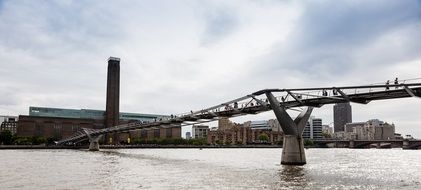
{"x": 255, "y": 103}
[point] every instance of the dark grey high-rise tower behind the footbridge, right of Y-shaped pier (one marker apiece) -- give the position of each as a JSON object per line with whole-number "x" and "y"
{"x": 342, "y": 114}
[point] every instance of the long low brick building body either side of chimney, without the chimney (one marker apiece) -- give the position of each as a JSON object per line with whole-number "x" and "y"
{"x": 62, "y": 123}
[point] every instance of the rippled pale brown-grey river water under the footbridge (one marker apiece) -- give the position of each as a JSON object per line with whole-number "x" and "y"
{"x": 209, "y": 169}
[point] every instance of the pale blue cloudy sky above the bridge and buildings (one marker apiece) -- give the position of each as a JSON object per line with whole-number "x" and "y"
{"x": 178, "y": 56}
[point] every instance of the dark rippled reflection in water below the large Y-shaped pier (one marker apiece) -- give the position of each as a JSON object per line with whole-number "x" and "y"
{"x": 293, "y": 177}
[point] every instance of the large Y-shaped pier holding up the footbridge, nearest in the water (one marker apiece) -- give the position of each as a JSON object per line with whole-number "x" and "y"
{"x": 293, "y": 146}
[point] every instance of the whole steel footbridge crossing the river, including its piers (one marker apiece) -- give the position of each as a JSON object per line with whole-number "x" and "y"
{"x": 277, "y": 100}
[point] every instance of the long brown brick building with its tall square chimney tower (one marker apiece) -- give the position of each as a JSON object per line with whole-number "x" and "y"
{"x": 61, "y": 123}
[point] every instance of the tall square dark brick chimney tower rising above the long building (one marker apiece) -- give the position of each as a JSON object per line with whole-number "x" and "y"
{"x": 112, "y": 107}
